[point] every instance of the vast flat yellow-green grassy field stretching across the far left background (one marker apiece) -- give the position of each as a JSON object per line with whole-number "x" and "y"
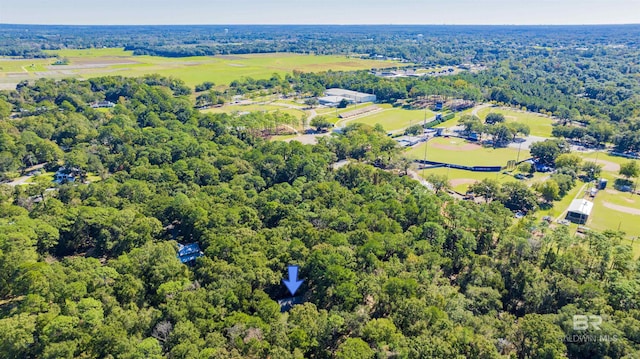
{"x": 221, "y": 70}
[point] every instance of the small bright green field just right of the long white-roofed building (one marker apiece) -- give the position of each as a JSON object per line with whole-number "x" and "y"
{"x": 392, "y": 119}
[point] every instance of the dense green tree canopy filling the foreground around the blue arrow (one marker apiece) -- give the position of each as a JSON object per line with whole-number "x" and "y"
{"x": 390, "y": 268}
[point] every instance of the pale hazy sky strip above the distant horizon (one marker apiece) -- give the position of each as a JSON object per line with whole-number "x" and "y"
{"x": 320, "y": 11}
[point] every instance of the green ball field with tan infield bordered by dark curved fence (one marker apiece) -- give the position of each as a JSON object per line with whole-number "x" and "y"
{"x": 458, "y": 151}
